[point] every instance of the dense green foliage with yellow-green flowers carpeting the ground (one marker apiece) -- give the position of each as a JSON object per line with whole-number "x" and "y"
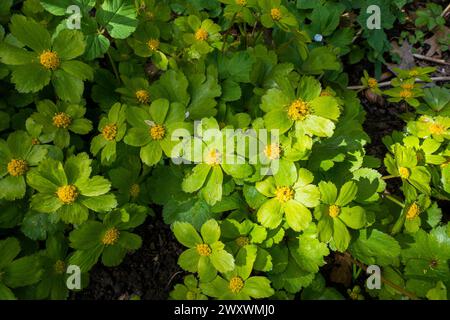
{"x": 115, "y": 112}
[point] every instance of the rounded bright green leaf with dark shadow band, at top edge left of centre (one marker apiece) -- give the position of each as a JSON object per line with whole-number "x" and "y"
{"x": 118, "y": 17}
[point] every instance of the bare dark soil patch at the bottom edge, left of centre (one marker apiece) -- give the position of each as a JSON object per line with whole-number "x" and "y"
{"x": 149, "y": 273}
